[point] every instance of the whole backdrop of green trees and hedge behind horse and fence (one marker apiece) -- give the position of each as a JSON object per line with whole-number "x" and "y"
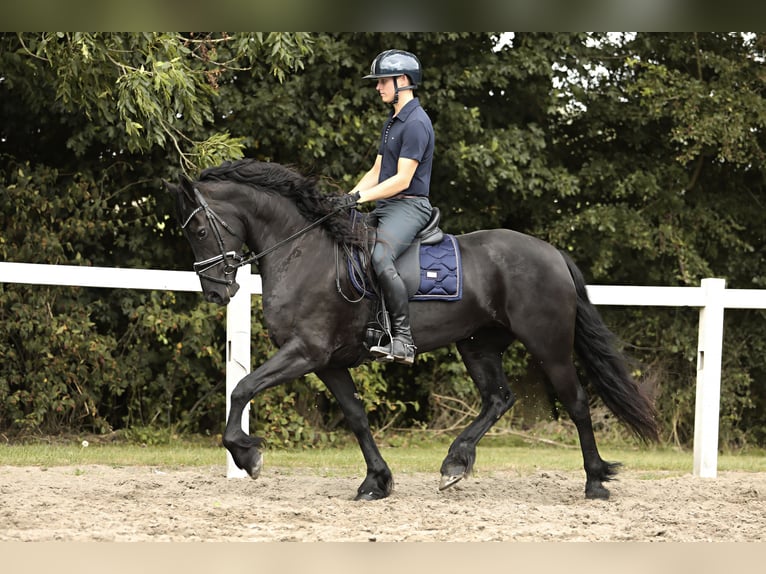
{"x": 641, "y": 154}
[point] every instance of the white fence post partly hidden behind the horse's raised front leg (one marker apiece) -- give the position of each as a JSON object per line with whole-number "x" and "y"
{"x": 238, "y": 314}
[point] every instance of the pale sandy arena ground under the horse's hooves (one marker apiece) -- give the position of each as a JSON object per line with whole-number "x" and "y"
{"x": 101, "y": 503}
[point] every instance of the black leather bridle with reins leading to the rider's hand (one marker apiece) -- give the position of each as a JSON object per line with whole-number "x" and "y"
{"x": 232, "y": 260}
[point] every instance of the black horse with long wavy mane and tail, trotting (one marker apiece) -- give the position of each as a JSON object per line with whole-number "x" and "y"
{"x": 515, "y": 287}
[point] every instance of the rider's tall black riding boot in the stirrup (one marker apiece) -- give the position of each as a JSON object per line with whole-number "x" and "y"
{"x": 401, "y": 348}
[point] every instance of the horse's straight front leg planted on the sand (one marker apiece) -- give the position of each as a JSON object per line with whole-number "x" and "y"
{"x": 379, "y": 482}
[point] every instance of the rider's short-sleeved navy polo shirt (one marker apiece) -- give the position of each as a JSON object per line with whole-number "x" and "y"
{"x": 410, "y": 135}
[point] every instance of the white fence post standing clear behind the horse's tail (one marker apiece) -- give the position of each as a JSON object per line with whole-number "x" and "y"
{"x": 708, "y": 393}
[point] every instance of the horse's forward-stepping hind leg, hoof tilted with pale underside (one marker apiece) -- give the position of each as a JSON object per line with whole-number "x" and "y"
{"x": 483, "y": 357}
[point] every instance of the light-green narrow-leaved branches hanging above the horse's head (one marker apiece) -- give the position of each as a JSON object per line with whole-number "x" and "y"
{"x": 151, "y": 90}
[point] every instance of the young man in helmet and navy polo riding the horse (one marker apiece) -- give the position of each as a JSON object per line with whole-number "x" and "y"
{"x": 398, "y": 182}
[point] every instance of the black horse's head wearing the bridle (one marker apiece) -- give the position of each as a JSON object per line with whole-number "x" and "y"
{"x": 215, "y": 234}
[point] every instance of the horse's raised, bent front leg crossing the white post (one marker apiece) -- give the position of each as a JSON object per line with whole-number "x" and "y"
{"x": 286, "y": 365}
